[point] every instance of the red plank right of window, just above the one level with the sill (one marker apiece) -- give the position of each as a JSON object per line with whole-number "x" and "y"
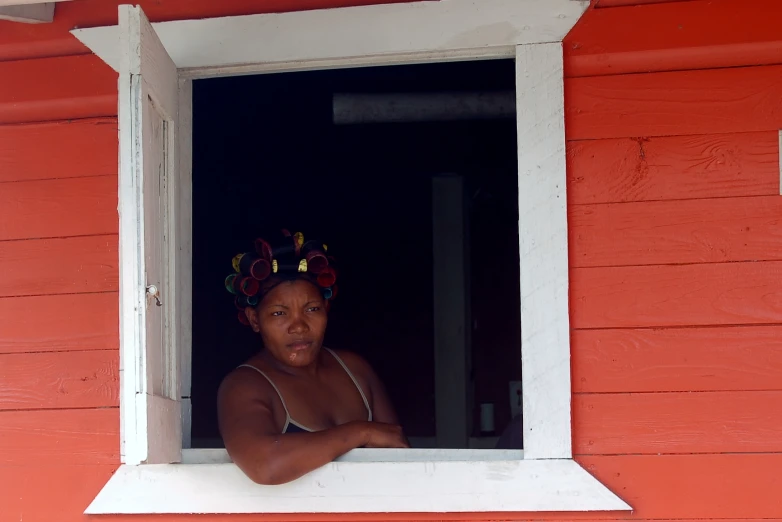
{"x": 653, "y": 423}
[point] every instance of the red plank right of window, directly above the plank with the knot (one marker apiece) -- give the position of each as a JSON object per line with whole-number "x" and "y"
{"x": 674, "y": 103}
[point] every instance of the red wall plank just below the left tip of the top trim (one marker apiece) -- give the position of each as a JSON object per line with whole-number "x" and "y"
{"x": 57, "y": 89}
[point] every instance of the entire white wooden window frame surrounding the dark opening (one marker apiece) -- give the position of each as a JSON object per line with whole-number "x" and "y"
{"x": 543, "y": 477}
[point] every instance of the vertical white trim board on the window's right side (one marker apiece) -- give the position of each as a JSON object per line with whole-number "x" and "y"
{"x": 543, "y": 248}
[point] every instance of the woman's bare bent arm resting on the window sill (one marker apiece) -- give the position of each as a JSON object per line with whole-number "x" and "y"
{"x": 268, "y": 457}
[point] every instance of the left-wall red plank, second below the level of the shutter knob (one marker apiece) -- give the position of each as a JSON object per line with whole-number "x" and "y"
{"x": 57, "y": 380}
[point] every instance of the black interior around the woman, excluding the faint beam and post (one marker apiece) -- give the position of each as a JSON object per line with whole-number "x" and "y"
{"x": 267, "y": 155}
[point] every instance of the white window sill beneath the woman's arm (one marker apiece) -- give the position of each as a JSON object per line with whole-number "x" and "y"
{"x": 367, "y": 482}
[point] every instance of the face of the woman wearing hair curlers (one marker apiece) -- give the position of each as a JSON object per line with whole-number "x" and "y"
{"x": 292, "y": 322}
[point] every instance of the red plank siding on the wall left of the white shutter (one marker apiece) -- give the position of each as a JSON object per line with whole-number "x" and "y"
{"x": 59, "y": 323}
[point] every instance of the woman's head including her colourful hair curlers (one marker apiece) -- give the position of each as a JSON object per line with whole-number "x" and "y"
{"x": 282, "y": 290}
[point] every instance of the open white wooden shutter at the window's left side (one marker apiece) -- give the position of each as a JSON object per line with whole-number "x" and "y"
{"x": 148, "y": 90}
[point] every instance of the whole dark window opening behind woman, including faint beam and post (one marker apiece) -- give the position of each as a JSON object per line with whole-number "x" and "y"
{"x": 409, "y": 173}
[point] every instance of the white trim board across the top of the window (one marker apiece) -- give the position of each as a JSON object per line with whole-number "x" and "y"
{"x": 351, "y": 36}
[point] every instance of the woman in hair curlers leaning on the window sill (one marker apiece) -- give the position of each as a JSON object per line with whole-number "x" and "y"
{"x": 296, "y": 405}
